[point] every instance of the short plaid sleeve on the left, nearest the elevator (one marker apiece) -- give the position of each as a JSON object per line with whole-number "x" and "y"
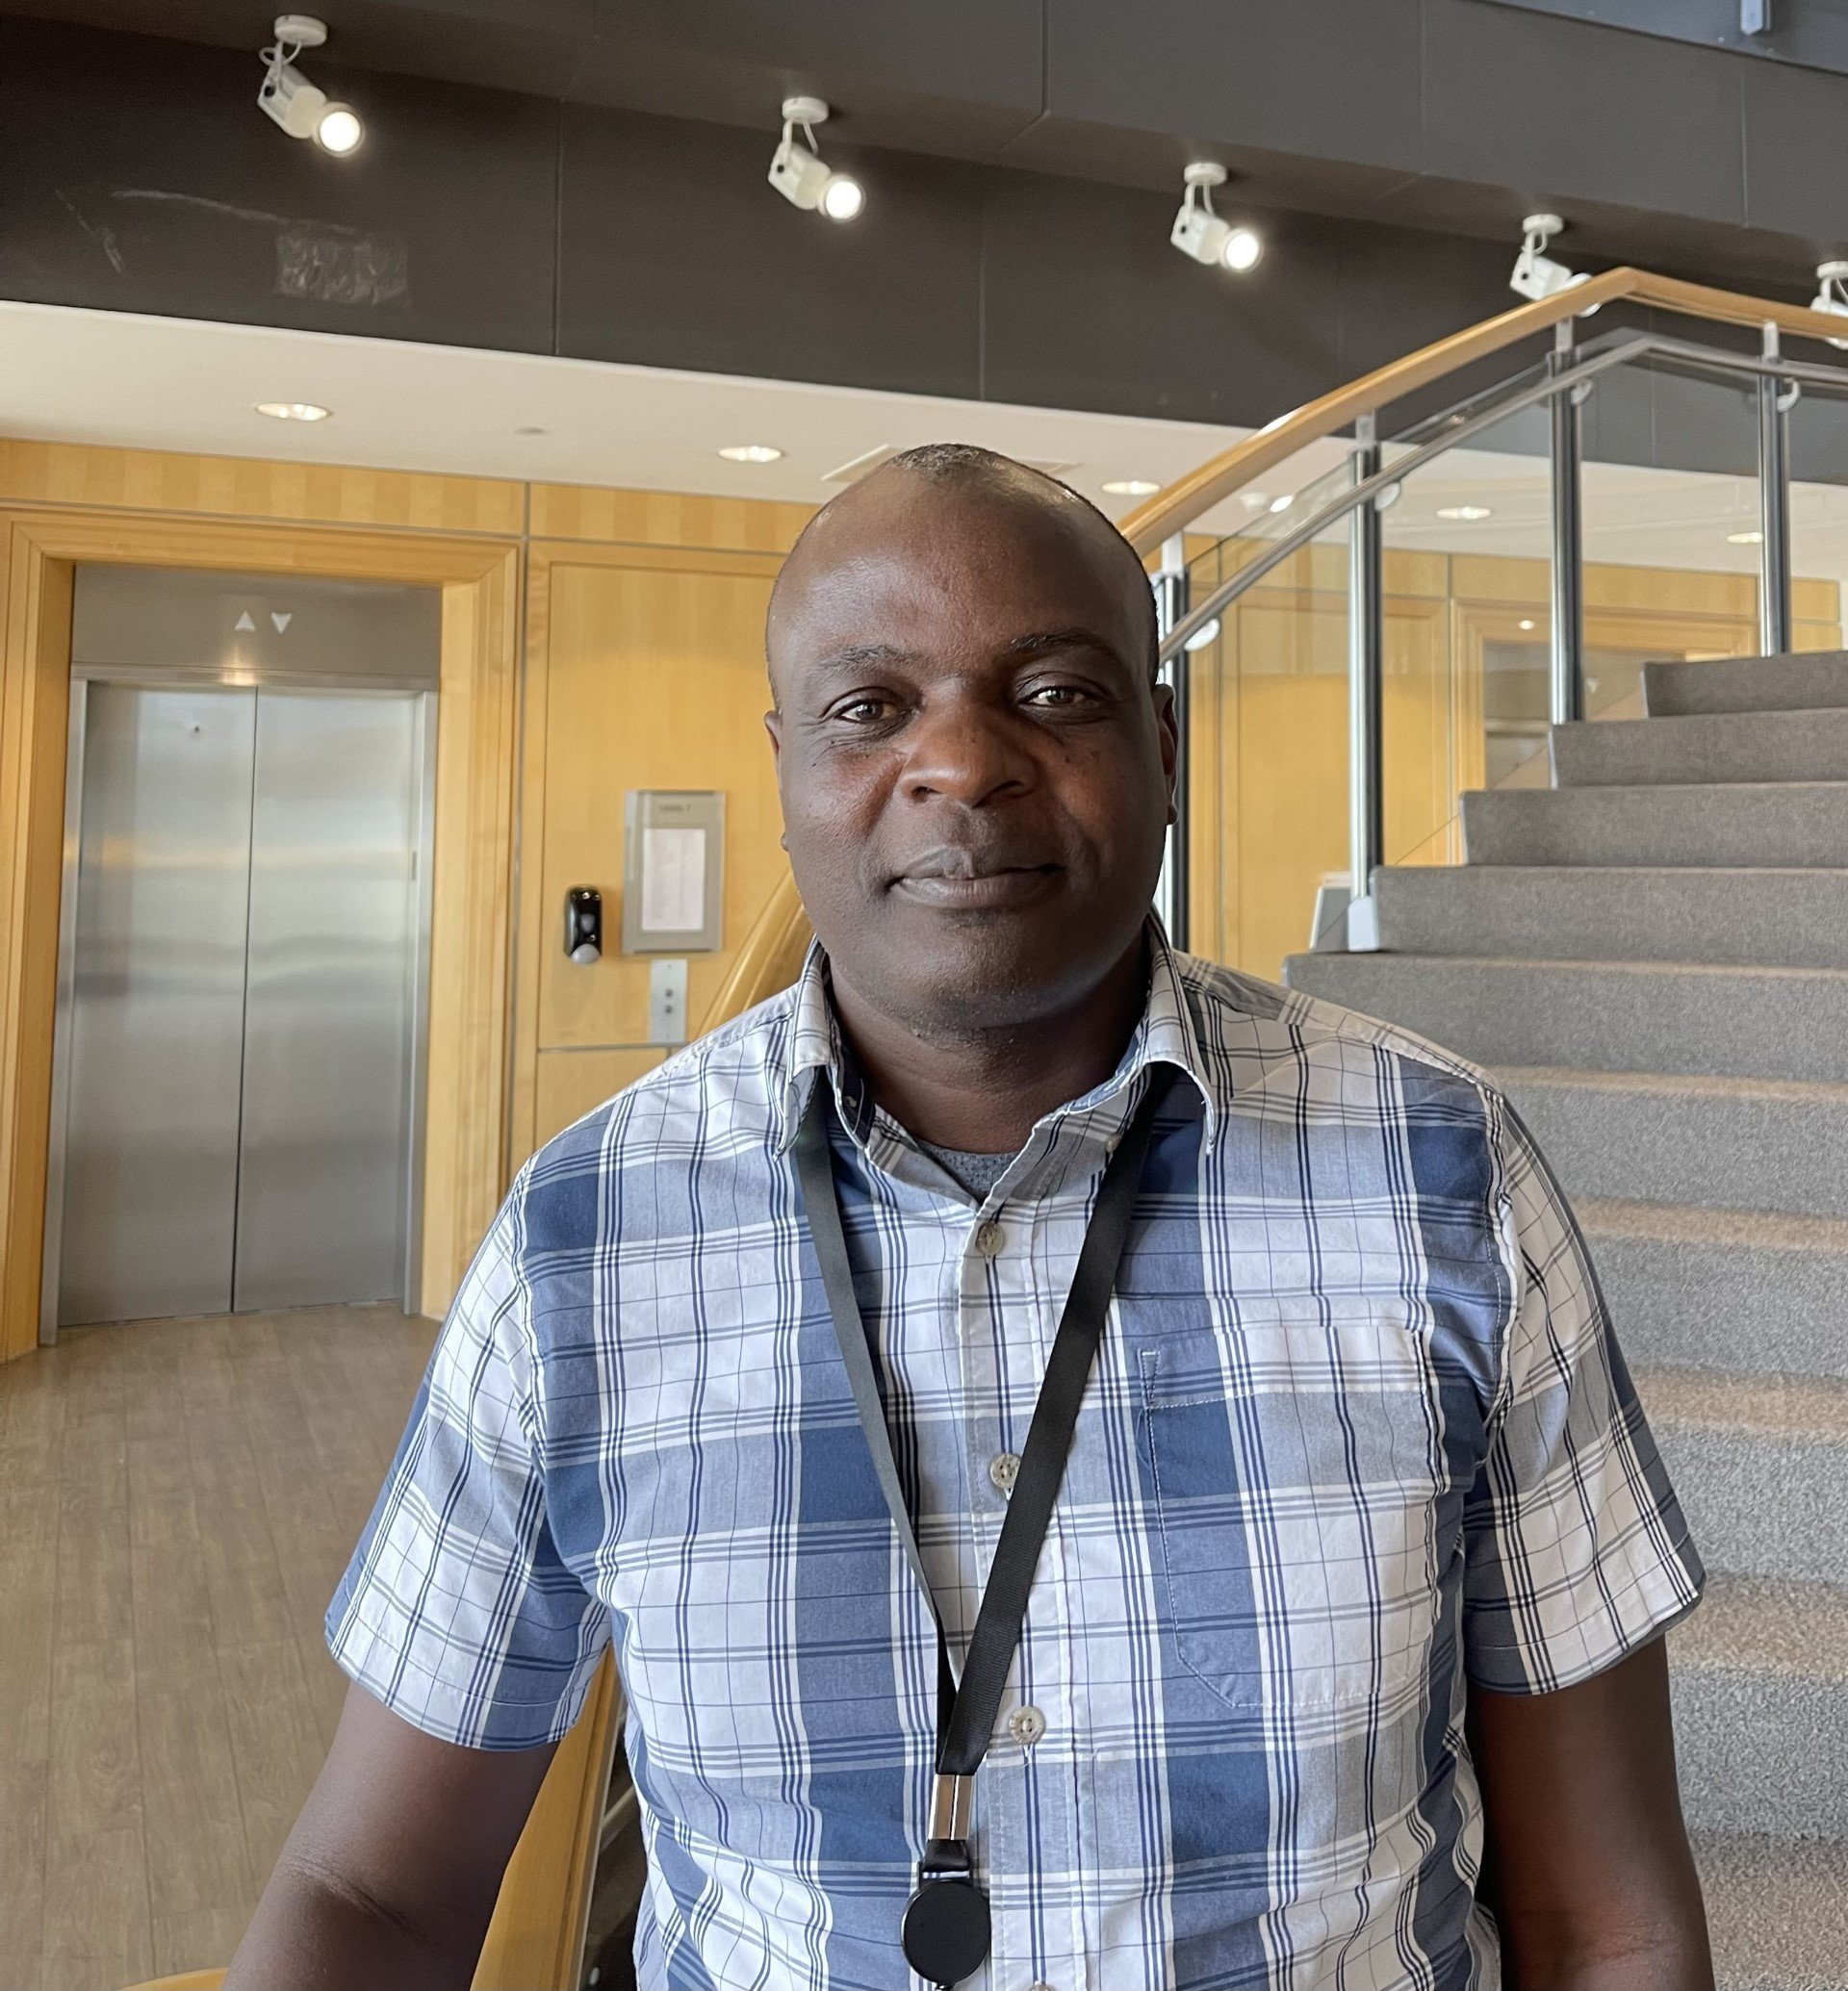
{"x": 457, "y": 1610}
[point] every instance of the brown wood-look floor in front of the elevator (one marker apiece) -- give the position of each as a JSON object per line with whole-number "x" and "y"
{"x": 176, "y": 1506}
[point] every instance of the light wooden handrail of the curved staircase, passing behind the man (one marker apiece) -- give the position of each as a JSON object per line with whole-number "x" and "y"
{"x": 537, "y": 1938}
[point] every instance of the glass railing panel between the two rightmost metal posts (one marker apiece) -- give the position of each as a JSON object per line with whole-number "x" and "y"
{"x": 1672, "y": 527}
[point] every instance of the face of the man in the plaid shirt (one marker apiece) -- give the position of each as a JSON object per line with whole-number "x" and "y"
{"x": 975, "y": 766}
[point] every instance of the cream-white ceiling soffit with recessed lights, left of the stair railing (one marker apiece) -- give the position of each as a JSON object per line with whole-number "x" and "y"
{"x": 192, "y": 385}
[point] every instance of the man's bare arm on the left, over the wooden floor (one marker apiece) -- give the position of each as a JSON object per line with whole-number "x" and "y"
{"x": 393, "y": 1869}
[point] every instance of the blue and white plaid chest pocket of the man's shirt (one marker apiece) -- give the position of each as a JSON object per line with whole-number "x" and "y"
{"x": 1293, "y": 1470}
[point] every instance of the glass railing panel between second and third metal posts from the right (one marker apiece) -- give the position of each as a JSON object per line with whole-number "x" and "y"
{"x": 1469, "y": 586}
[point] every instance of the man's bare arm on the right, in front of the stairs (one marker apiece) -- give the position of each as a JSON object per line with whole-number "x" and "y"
{"x": 1588, "y": 1861}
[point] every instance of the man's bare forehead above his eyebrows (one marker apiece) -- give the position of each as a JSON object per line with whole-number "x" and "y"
{"x": 933, "y": 570}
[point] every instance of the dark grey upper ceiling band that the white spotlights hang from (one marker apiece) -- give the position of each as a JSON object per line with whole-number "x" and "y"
{"x": 1437, "y": 114}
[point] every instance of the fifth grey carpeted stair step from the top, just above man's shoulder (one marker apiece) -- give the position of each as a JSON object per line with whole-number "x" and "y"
{"x": 1604, "y": 1016}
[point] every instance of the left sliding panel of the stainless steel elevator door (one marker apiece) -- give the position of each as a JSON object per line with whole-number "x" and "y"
{"x": 156, "y": 1028}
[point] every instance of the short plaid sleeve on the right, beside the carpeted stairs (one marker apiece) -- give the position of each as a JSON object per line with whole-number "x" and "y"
{"x": 1576, "y": 1546}
